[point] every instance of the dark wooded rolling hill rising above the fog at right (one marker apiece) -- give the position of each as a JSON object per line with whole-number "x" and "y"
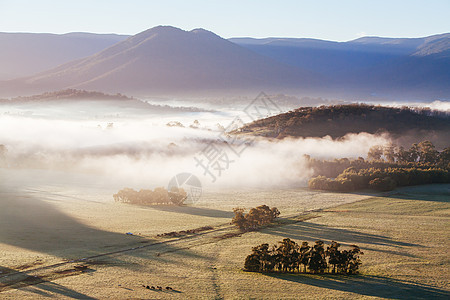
{"x": 338, "y": 120}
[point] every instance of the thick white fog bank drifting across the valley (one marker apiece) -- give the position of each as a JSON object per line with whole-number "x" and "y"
{"x": 143, "y": 152}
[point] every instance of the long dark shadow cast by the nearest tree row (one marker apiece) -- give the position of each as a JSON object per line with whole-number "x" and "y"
{"x": 376, "y": 286}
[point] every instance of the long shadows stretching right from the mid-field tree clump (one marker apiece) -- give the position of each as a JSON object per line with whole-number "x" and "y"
{"x": 311, "y": 231}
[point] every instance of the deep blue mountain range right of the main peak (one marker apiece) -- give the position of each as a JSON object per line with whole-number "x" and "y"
{"x": 396, "y": 67}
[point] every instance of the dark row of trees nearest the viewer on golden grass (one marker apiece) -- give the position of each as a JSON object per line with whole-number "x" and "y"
{"x": 289, "y": 256}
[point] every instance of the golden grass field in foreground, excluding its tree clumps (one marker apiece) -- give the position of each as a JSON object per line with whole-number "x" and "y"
{"x": 404, "y": 235}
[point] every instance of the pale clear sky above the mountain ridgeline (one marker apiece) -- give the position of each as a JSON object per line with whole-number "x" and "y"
{"x": 339, "y": 20}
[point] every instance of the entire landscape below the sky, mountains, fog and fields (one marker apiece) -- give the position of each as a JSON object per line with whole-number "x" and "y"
{"x": 181, "y": 164}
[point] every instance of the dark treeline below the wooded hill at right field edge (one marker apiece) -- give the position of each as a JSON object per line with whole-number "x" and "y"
{"x": 385, "y": 169}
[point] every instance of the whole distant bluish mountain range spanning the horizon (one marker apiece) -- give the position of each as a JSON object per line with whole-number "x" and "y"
{"x": 168, "y": 60}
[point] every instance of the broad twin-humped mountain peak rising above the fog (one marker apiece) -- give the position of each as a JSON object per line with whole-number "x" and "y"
{"x": 168, "y": 59}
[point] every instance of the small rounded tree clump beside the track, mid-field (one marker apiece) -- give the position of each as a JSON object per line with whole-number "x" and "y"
{"x": 255, "y": 218}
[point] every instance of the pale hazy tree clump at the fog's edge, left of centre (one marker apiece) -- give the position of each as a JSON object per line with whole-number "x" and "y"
{"x": 159, "y": 195}
